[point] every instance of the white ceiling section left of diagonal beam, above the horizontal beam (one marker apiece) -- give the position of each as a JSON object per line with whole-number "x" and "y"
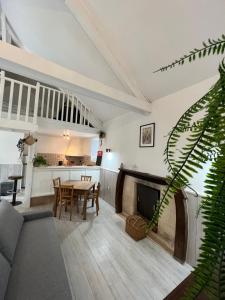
{"x": 47, "y": 28}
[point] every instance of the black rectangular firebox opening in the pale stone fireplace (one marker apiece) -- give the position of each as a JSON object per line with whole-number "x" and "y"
{"x": 147, "y": 198}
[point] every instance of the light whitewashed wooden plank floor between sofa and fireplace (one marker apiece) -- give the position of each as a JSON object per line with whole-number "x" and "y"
{"x": 103, "y": 262}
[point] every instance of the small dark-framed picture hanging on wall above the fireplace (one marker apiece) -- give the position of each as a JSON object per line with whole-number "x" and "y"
{"x": 147, "y": 135}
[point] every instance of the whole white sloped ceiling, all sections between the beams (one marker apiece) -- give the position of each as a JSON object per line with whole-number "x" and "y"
{"x": 146, "y": 34}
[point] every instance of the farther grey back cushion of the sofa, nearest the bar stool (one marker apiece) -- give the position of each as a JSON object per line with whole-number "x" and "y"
{"x": 10, "y": 223}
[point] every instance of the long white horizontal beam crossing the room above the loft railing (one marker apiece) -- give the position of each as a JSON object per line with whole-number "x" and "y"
{"x": 33, "y": 66}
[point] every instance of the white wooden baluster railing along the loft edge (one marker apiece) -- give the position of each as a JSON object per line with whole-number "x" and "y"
{"x": 26, "y": 106}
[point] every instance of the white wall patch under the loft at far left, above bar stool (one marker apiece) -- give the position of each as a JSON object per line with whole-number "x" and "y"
{"x": 9, "y": 153}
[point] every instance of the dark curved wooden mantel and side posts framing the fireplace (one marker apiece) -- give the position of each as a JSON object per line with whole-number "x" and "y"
{"x": 180, "y": 245}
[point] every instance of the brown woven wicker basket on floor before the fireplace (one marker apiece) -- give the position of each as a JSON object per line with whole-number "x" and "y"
{"x": 136, "y": 227}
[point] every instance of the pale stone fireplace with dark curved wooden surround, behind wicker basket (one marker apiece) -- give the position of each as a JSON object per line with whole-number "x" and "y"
{"x": 171, "y": 231}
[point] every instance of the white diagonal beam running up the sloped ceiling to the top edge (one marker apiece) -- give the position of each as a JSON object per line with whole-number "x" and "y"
{"x": 83, "y": 13}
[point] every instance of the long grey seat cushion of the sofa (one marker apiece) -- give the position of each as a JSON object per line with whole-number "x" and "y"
{"x": 38, "y": 270}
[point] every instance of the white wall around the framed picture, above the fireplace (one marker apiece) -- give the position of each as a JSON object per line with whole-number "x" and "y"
{"x": 122, "y": 134}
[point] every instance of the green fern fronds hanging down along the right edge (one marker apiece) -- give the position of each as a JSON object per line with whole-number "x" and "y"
{"x": 203, "y": 127}
